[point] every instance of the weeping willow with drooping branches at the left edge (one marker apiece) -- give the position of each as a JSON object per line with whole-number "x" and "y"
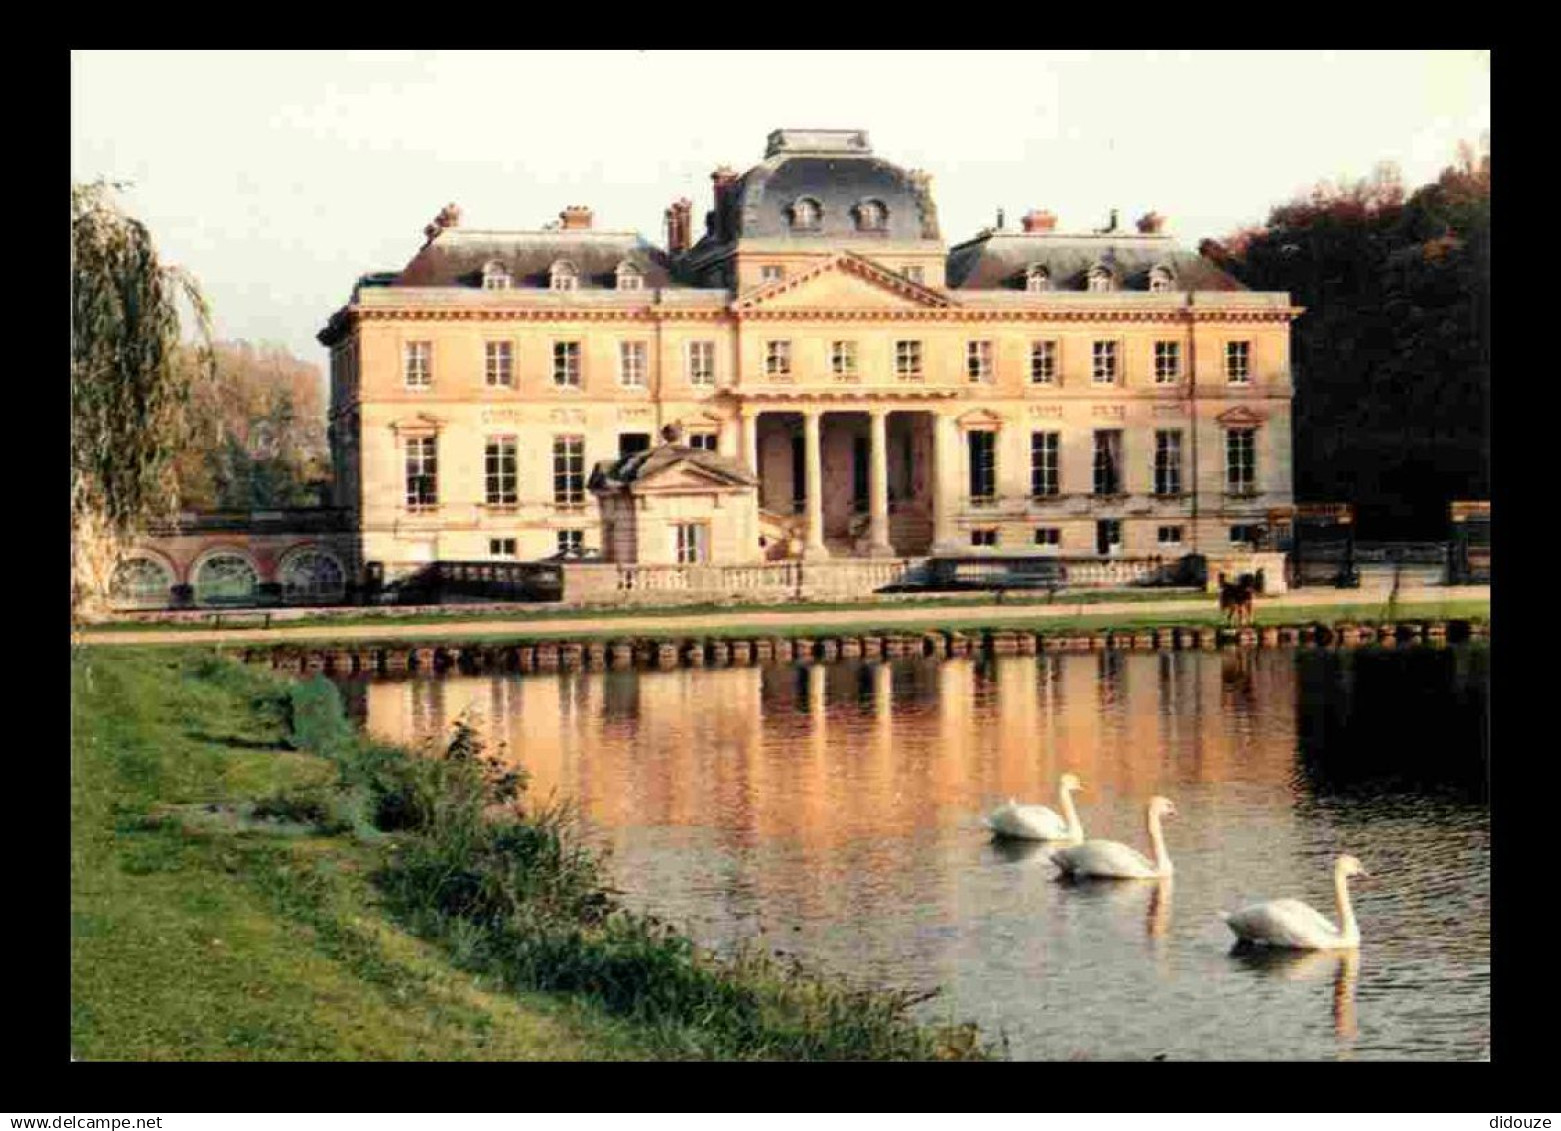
{"x": 129, "y": 391}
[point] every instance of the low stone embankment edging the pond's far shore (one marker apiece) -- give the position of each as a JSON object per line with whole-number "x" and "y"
{"x": 736, "y": 653}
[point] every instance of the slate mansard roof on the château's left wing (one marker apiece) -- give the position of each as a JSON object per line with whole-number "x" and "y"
{"x": 457, "y": 257}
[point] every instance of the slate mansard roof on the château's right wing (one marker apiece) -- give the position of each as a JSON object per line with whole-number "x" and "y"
{"x": 1001, "y": 261}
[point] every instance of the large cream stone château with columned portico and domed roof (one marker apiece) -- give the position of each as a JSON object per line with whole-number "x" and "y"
{"x": 820, "y": 377}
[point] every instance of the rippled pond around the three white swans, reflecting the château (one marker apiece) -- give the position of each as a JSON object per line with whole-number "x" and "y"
{"x": 836, "y": 812}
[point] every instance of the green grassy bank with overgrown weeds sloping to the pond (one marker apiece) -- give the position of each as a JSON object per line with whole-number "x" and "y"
{"x": 255, "y": 881}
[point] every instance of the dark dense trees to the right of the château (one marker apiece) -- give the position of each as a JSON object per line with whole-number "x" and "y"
{"x": 1392, "y": 361}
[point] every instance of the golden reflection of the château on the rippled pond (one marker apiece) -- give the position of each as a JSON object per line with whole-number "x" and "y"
{"x": 823, "y": 754}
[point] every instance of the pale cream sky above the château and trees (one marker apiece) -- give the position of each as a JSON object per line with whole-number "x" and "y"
{"x": 280, "y": 177}
